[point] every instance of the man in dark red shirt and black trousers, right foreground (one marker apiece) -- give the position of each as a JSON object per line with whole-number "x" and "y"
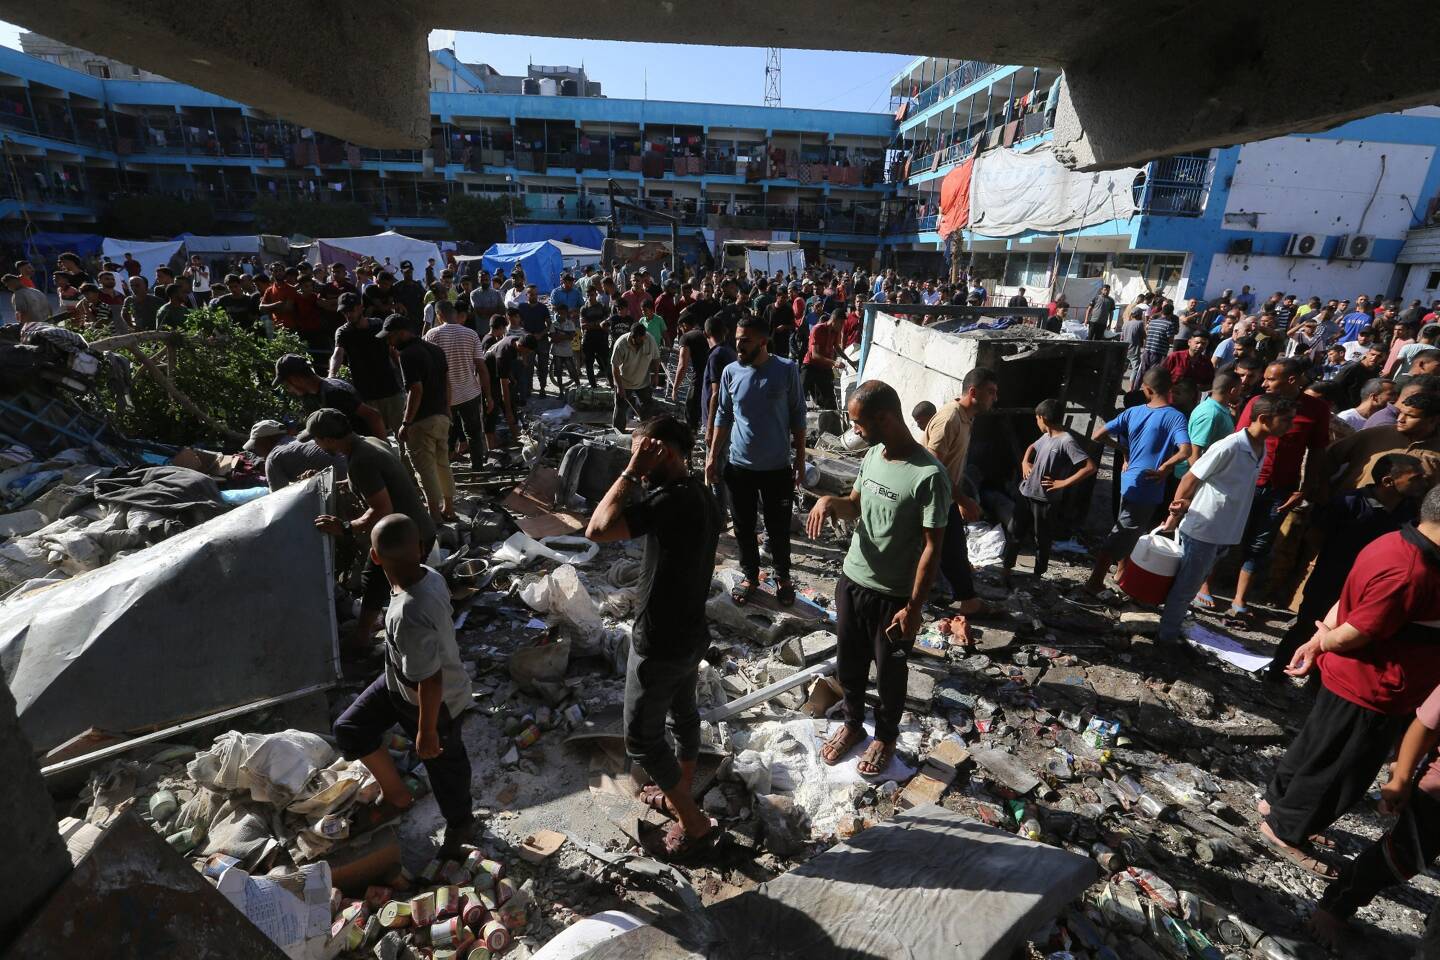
{"x": 1379, "y": 654}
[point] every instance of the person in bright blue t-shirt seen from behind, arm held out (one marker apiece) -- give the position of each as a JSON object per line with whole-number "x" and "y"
{"x": 1156, "y": 441}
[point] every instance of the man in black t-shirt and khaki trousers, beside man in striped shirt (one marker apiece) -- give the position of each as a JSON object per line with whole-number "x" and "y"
{"x": 426, "y": 428}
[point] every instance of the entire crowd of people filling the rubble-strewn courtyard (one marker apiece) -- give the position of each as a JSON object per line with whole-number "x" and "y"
{"x": 1291, "y": 445}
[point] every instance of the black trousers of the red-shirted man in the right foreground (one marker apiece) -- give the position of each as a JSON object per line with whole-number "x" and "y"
{"x": 1330, "y": 766}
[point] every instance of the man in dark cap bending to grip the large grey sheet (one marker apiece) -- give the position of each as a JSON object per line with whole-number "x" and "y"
{"x": 387, "y": 486}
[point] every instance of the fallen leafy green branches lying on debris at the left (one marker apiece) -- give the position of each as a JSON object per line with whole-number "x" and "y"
{"x": 225, "y": 369}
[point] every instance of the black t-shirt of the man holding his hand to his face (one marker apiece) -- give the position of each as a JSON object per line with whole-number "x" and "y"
{"x": 680, "y": 526}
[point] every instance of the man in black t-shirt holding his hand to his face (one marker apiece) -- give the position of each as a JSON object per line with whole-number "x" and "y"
{"x": 680, "y": 523}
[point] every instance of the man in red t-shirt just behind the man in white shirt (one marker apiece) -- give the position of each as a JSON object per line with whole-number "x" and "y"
{"x": 1279, "y": 487}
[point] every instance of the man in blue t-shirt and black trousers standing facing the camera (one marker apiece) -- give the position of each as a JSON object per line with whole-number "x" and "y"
{"x": 760, "y": 451}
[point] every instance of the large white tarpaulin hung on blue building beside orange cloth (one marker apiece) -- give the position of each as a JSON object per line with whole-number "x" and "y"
{"x": 1016, "y": 192}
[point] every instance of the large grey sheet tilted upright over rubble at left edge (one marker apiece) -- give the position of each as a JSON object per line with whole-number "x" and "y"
{"x": 234, "y": 611}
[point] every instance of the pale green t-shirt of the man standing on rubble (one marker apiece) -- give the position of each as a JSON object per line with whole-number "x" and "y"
{"x": 899, "y": 502}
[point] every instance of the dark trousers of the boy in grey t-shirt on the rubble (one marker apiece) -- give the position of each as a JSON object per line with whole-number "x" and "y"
{"x": 361, "y": 732}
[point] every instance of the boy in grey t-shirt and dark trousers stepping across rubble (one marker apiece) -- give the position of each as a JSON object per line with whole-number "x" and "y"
{"x": 424, "y": 690}
